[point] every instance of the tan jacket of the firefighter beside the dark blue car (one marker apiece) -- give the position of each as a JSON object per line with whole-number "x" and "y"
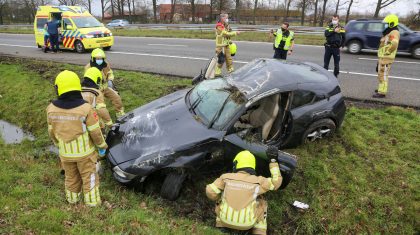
{"x": 389, "y": 45}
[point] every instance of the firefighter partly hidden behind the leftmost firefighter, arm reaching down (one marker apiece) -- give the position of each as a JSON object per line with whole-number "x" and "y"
{"x": 93, "y": 95}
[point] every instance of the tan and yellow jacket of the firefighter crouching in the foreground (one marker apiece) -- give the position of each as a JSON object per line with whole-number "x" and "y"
{"x": 238, "y": 192}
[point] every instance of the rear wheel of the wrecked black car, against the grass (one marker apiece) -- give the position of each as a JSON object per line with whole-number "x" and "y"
{"x": 318, "y": 130}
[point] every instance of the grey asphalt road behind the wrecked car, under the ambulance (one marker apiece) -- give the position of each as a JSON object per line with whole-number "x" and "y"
{"x": 185, "y": 57}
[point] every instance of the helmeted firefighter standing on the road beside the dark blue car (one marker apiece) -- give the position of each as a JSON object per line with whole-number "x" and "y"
{"x": 388, "y": 46}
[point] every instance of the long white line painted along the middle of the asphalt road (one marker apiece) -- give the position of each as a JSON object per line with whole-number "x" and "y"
{"x": 206, "y": 59}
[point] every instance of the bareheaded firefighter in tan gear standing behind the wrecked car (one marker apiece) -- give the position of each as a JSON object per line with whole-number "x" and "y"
{"x": 223, "y": 42}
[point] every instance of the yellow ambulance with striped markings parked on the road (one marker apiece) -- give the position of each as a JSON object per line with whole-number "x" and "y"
{"x": 79, "y": 30}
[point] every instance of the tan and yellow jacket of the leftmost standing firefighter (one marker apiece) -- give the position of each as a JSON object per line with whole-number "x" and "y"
{"x": 75, "y": 131}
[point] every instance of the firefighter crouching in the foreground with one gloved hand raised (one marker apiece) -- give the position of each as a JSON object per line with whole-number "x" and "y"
{"x": 237, "y": 194}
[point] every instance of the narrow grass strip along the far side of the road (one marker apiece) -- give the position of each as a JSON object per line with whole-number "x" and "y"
{"x": 196, "y": 34}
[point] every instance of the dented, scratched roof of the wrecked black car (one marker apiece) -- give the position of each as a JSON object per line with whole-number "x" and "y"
{"x": 263, "y": 75}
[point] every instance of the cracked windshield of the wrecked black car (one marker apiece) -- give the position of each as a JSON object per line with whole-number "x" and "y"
{"x": 215, "y": 102}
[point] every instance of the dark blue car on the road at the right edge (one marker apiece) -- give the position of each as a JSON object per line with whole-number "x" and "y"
{"x": 366, "y": 34}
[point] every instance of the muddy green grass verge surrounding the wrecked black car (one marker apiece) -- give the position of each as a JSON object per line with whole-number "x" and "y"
{"x": 363, "y": 180}
